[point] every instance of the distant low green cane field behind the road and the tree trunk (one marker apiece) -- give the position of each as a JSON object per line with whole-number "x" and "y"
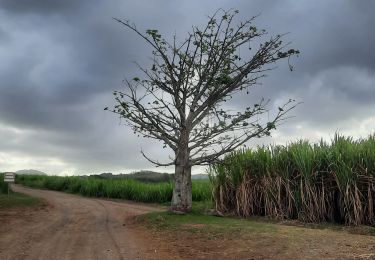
{"x": 114, "y": 188}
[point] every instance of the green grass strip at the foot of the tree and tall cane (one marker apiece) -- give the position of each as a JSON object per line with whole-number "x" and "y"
{"x": 209, "y": 226}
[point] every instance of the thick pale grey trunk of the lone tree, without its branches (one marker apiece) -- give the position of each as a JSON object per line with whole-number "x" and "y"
{"x": 182, "y": 196}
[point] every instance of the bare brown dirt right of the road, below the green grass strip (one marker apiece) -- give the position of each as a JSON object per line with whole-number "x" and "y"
{"x": 274, "y": 241}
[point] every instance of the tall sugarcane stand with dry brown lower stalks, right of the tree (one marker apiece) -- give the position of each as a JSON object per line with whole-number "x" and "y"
{"x": 308, "y": 182}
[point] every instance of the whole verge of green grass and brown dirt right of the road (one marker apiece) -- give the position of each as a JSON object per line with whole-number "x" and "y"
{"x": 210, "y": 237}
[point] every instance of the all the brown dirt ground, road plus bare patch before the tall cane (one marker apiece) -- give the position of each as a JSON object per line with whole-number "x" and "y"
{"x": 74, "y": 227}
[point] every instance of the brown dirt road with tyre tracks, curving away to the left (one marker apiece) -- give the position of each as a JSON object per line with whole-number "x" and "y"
{"x": 74, "y": 227}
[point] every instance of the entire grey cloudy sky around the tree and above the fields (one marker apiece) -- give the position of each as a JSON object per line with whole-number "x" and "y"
{"x": 60, "y": 61}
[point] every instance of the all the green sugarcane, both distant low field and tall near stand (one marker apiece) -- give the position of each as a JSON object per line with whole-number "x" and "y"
{"x": 311, "y": 183}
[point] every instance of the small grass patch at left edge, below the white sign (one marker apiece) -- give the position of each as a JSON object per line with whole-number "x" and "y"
{"x": 17, "y": 200}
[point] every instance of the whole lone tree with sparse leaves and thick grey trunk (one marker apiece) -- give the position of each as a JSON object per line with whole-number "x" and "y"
{"x": 180, "y": 100}
